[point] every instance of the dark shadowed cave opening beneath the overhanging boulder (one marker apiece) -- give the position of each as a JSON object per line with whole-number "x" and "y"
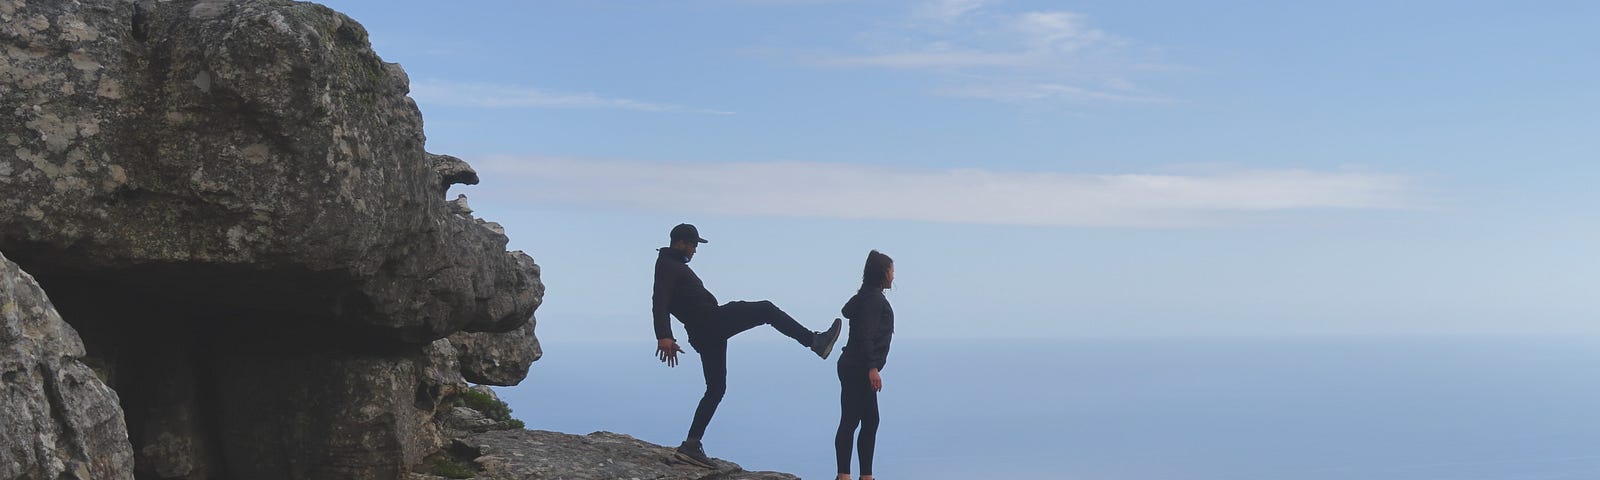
{"x": 210, "y": 362}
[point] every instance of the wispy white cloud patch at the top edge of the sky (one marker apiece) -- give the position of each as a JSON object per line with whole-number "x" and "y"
{"x": 982, "y": 52}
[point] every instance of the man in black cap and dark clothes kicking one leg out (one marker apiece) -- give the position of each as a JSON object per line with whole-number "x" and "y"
{"x": 679, "y": 292}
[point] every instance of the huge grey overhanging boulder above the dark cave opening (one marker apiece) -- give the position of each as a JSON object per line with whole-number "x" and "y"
{"x": 185, "y": 138}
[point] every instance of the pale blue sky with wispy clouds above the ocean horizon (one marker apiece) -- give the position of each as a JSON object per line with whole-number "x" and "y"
{"x": 1038, "y": 169}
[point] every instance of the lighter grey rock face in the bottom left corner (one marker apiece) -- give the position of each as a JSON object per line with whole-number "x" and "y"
{"x": 60, "y": 422}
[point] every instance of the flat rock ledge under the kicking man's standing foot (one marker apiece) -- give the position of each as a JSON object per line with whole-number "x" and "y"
{"x": 540, "y": 455}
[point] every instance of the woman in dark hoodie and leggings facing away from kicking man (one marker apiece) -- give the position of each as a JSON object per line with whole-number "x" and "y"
{"x": 871, "y": 327}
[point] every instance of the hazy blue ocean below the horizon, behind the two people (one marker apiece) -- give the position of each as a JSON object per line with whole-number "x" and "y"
{"x": 1127, "y": 409}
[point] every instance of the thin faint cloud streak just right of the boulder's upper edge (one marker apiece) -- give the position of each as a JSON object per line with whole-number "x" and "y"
{"x": 503, "y": 97}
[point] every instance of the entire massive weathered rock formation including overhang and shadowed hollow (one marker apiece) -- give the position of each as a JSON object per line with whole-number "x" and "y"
{"x": 233, "y": 206}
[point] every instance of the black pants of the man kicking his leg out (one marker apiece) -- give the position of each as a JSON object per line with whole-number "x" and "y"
{"x": 710, "y": 337}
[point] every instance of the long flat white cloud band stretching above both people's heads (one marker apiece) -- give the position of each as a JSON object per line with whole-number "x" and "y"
{"x": 938, "y": 196}
